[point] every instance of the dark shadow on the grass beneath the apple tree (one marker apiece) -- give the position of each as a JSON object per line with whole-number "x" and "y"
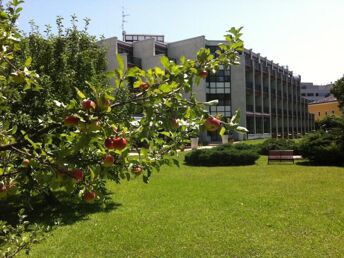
{"x": 65, "y": 212}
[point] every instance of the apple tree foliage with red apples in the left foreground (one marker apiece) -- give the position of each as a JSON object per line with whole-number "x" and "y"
{"x": 88, "y": 135}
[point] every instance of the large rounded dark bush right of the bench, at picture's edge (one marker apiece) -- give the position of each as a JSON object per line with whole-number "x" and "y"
{"x": 322, "y": 148}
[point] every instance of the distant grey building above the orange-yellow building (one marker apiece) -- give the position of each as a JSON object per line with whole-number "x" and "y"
{"x": 315, "y": 92}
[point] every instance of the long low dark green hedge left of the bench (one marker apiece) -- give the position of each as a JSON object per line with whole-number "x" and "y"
{"x": 224, "y": 155}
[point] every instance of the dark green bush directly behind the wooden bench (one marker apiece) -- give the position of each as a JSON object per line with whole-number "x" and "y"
{"x": 277, "y": 144}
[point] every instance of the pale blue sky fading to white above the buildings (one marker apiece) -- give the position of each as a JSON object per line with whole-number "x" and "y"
{"x": 306, "y": 35}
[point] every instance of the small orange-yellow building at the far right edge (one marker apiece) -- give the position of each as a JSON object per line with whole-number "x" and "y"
{"x": 328, "y": 106}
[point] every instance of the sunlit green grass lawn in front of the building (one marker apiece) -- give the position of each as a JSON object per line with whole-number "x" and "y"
{"x": 249, "y": 211}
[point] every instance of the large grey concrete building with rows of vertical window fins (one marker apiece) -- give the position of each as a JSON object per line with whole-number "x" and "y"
{"x": 267, "y": 94}
